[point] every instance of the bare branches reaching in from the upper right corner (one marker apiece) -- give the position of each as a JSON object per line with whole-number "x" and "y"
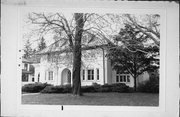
{"x": 148, "y": 25}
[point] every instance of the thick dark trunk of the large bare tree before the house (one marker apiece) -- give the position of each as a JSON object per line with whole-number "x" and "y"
{"x": 77, "y": 54}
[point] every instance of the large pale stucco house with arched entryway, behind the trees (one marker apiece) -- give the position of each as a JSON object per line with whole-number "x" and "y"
{"x": 55, "y": 67}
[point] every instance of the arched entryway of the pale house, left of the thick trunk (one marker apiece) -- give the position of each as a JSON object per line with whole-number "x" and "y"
{"x": 66, "y": 77}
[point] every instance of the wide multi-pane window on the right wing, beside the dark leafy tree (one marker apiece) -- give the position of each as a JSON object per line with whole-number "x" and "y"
{"x": 122, "y": 78}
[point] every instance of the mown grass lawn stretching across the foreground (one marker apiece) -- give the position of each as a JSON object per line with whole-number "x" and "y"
{"x": 112, "y": 99}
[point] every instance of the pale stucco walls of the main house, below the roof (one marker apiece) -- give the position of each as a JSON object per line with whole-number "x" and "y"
{"x": 103, "y": 73}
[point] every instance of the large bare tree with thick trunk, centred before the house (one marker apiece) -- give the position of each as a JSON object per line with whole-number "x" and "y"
{"x": 73, "y": 32}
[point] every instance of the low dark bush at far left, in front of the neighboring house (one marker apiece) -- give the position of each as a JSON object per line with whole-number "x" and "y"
{"x": 34, "y": 87}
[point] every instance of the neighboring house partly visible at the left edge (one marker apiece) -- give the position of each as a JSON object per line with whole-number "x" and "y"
{"x": 27, "y": 72}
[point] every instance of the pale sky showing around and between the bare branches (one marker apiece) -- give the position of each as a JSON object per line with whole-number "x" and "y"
{"x": 27, "y": 27}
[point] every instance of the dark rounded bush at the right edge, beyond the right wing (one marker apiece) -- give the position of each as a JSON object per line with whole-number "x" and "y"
{"x": 151, "y": 86}
